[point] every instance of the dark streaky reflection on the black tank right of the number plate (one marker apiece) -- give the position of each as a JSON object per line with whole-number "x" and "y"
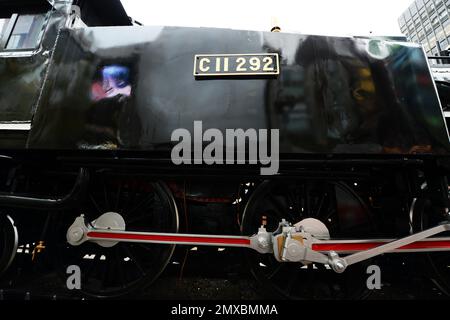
{"x": 344, "y": 97}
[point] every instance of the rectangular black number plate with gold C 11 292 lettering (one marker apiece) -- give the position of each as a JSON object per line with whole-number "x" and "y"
{"x": 221, "y": 65}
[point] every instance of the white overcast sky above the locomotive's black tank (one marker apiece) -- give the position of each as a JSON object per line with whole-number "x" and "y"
{"x": 327, "y": 17}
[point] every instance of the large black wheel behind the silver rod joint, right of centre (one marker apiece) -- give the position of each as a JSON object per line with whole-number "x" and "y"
{"x": 338, "y": 207}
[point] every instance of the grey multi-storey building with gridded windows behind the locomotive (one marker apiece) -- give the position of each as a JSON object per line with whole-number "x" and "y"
{"x": 427, "y": 22}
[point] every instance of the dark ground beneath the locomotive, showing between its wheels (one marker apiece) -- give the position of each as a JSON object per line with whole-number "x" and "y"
{"x": 213, "y": 274}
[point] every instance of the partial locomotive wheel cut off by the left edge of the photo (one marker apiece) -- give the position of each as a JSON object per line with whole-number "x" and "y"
{"x": 8, "y": 242}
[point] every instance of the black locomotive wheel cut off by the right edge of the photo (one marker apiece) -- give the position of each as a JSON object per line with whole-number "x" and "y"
{"x": 438, "y": 263}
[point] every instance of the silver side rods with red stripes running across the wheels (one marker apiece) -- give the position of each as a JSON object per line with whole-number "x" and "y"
{"x": 287, "y": 243}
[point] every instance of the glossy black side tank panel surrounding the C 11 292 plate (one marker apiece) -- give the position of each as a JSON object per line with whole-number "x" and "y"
{"x": 334, "y": 95}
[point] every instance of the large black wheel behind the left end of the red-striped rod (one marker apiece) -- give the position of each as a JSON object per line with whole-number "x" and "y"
{"x": 124, "y": 268}
